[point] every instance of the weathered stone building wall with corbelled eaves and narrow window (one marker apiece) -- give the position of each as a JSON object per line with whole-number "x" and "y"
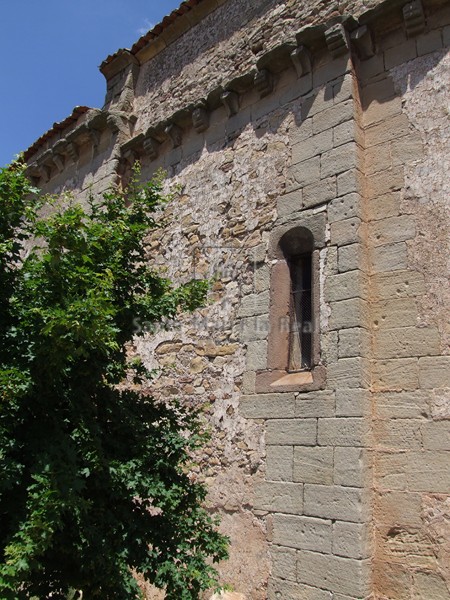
{"x": 312, "y": 133}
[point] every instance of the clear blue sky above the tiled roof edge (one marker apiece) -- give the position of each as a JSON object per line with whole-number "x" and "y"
{"x": 50, "y": 52}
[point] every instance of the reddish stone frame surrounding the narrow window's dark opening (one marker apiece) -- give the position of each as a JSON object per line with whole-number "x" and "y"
{"x": 277, "y": 377}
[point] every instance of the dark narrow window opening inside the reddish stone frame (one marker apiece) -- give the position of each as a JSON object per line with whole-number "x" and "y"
{"x": 301, "y": 313}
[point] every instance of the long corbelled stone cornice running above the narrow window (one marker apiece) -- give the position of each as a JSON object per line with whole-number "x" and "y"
{"x": 340, "y": 36}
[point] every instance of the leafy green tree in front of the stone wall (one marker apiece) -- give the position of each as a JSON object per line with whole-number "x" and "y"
{"x": 95, "y": 478}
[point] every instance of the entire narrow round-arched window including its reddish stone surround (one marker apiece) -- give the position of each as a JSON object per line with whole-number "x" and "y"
{"x": 293, "y": 358}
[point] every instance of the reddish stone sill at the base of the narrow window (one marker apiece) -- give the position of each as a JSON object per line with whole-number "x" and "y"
{"x": 282, "y": 381}
